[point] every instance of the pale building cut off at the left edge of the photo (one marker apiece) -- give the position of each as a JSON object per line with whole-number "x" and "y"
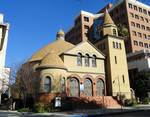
{"x": 4, "y": 72}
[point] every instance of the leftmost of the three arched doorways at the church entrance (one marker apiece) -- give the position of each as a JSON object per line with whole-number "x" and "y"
{"x": 74, "y": 87}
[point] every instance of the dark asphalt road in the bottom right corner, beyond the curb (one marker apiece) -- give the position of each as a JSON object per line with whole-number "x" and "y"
{"x": 145, "y": 113}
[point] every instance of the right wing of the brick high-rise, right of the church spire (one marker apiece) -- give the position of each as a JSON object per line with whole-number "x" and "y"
{"x": 136, "y": 17}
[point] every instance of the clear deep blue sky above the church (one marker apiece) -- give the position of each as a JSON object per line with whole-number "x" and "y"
{"x": 34, "y": 23}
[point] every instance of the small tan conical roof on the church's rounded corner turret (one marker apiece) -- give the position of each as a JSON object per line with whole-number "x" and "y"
{"x": 52, "y": 60}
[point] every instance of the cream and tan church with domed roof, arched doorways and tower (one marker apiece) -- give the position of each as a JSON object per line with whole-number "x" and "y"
{"x": 85, "y": 70}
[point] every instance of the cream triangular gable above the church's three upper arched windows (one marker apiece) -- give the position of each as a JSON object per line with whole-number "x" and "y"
{"x": 85, "y": 48}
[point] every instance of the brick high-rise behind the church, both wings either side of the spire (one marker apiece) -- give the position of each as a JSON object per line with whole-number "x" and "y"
{"x": 131, "y": 13}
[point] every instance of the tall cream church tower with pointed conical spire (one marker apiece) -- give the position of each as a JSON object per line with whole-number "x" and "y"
{"x": 116, "y": 64}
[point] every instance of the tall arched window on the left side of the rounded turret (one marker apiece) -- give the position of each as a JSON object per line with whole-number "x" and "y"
{"x": 47, "y": 84}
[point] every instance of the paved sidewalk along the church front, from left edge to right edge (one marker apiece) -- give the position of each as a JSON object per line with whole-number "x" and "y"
{"x": 77, "y": 113}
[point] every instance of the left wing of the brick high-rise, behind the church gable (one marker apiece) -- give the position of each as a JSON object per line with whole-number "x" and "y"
{"x": 82, "y": 29}
